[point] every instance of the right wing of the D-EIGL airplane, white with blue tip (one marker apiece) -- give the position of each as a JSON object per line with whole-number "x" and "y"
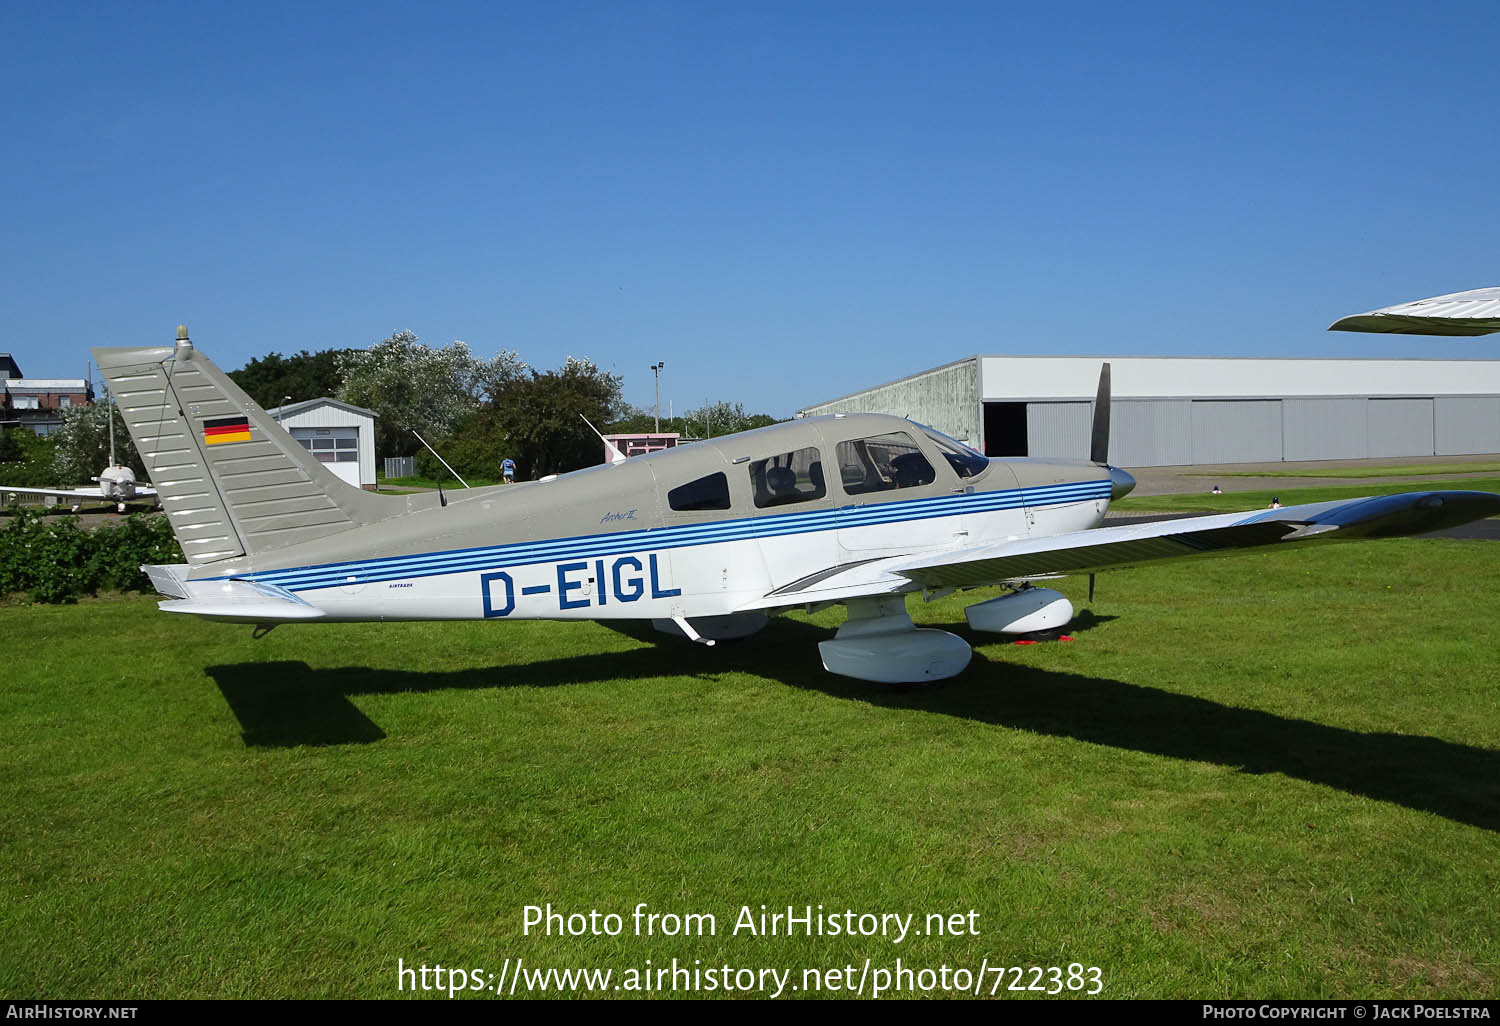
{"x": 1124, "y": 547}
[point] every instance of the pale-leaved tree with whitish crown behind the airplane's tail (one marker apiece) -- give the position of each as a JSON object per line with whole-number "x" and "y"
{"x": 416, "y": 388}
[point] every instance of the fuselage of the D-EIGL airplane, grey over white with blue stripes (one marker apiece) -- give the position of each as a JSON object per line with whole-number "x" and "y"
{"x": 695, "y": 532}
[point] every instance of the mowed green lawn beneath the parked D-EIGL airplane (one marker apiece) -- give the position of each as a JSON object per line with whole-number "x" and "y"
{"x": 1276, "y": 775}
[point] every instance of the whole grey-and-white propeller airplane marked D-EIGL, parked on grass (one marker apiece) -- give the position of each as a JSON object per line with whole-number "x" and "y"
{"x": 706, "y": 541}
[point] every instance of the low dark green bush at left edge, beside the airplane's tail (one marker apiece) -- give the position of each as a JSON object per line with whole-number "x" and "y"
{"x": 56, "y": 560}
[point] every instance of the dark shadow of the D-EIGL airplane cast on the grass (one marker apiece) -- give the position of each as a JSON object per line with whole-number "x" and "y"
{"x": 290, "y": 704}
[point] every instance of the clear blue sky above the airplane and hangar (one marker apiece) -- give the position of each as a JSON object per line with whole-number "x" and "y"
{"x": 784, "y": 202}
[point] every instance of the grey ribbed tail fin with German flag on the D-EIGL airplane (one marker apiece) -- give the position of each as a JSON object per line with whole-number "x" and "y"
{"x": 232, "y": 481}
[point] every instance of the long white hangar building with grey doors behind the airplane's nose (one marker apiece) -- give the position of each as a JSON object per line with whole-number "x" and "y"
{"x": 1171, "y": 412}
